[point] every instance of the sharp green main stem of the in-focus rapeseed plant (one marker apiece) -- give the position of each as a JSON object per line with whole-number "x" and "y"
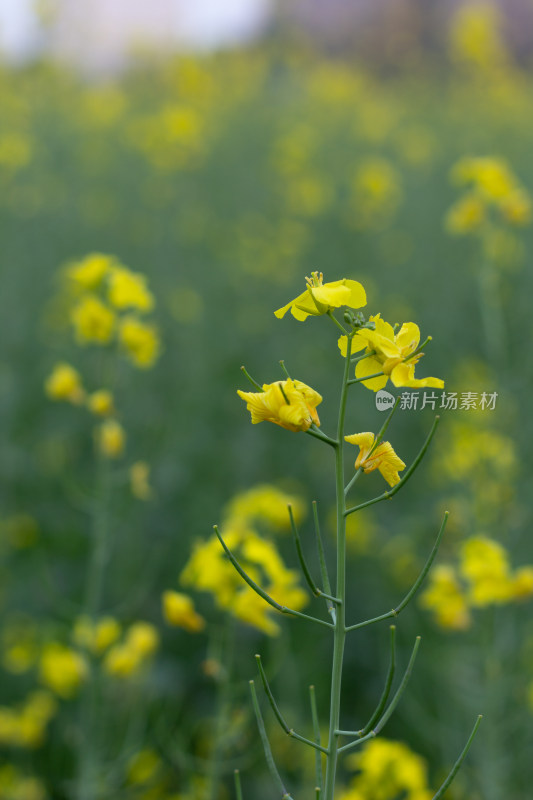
{"x": 340, "y": 626}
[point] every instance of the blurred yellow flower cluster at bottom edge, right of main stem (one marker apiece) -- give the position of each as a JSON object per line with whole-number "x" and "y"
{"x": 387, "y": 769}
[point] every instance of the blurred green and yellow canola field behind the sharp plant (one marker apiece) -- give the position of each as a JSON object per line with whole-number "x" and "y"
{"x": 150, "y": 224}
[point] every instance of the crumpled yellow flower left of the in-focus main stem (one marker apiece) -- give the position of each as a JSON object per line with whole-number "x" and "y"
{"x": 291, "y": 404}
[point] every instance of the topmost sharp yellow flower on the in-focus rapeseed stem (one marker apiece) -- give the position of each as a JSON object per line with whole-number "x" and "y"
{"x": 320, "y": 297}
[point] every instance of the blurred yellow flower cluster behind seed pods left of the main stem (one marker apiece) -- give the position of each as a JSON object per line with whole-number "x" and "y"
{"x": 208, "y": 569}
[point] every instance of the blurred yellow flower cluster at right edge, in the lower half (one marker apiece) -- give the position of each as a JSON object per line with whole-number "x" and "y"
{"x": 483, "y": 577}
